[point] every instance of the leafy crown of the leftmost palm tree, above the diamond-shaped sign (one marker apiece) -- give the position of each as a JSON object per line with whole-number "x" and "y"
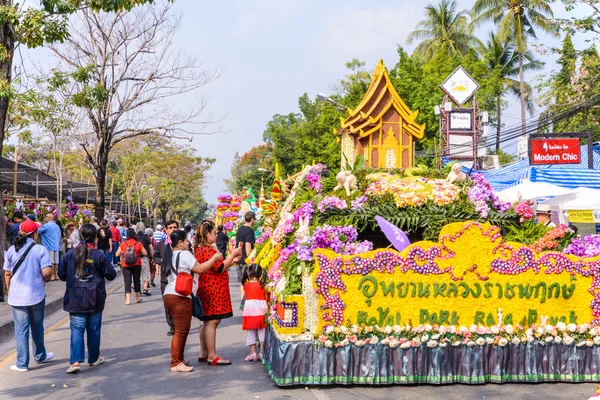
{"x": 444, "y": 28}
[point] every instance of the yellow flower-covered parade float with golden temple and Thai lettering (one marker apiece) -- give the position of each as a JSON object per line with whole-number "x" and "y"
{"x": 393, "y": 274}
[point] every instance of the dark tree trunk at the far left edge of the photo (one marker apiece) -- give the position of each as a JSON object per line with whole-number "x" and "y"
{"x": 7, "y": 40}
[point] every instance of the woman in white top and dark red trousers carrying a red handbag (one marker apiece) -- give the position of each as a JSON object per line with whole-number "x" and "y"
{"x": 177, "y": 295}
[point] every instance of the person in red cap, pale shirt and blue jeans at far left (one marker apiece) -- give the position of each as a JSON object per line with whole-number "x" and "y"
{"x": 27, "y": 268}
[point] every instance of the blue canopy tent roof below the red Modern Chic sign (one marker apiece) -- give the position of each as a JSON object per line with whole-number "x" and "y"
{"x": 565, "y": 175}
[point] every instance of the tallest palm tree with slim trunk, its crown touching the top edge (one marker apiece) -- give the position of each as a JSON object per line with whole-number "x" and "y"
{"x": 516, "y": 19}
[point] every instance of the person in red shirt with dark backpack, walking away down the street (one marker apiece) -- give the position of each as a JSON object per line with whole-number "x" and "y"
{"x": 131, "y": 264}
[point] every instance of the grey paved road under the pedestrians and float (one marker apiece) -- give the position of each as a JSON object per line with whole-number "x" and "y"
{"x": 136, "y": 347}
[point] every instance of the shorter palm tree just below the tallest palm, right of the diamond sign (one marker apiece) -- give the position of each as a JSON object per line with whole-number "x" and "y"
{"x": 502, "y": 59}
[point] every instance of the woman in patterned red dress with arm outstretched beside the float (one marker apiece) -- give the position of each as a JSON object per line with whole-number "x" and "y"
{"x": 213, "y": 292}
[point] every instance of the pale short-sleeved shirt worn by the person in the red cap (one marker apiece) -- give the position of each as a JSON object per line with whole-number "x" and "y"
{"x": 27, "y": 287}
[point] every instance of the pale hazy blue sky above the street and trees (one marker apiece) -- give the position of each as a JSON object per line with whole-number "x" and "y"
{"x": 273, "y": 51}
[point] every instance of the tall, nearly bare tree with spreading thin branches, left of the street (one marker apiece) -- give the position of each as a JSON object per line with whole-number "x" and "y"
{"x": 124, "y": 68}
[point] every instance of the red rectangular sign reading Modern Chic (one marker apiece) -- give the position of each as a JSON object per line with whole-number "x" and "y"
{"x": 555, "y": 151}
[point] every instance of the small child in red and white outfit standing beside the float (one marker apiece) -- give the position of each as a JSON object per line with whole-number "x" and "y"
{"x": 253, "y": 319}
